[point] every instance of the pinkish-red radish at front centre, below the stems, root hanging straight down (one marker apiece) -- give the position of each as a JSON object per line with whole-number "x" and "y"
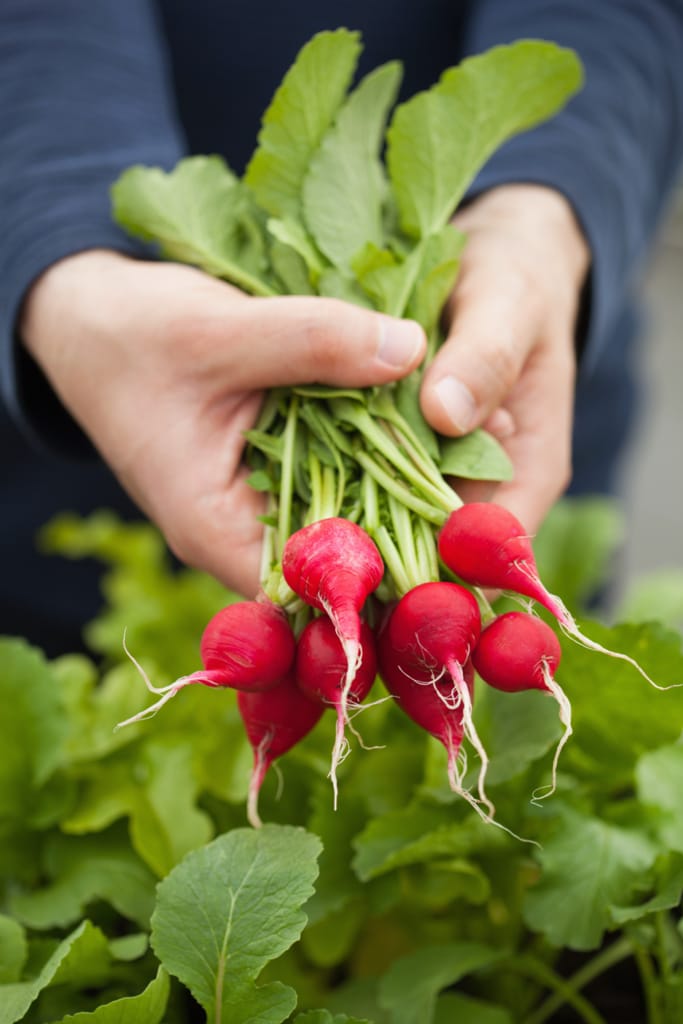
{"x": 334, "y": 566}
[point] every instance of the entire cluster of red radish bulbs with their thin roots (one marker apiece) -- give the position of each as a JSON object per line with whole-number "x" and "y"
{"x": 290, "y": 662}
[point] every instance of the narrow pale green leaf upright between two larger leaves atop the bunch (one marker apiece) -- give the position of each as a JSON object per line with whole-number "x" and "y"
{"x": 345, "y": 189}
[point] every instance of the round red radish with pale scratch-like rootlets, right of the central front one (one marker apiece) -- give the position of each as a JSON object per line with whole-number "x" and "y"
{"x": 434, "y": 631}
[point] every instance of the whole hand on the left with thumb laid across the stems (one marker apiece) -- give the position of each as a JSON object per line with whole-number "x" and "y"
{"x": 164, "y": 368}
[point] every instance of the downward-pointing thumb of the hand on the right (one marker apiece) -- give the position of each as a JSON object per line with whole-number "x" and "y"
{"x": 494, "y": 329}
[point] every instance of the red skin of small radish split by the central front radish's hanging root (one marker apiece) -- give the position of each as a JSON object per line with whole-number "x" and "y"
{"x": 321, "y": 664}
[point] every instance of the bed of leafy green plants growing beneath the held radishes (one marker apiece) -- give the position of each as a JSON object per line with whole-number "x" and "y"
{"x": 133, "y": 891}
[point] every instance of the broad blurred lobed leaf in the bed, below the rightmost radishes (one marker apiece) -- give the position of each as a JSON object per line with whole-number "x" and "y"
{"x": 571, "y": 906}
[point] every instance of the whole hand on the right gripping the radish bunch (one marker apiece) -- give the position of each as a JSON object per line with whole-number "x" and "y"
{"x": 509, "y": 361}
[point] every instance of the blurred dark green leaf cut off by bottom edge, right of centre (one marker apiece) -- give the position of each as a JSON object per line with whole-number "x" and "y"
{"x": 411, "y": 987}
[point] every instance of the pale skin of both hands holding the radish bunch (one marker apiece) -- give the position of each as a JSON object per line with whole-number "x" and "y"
{"x": 165, "y": 368}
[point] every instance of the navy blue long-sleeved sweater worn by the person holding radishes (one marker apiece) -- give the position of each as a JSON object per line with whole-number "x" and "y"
{"x": 89, "y": 89}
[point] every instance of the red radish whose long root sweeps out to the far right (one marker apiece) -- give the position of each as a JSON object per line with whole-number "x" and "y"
{"x": 487, "y": 546}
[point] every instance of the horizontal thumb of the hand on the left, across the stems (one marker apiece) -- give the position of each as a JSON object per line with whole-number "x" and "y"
{"x": 298, "y": 340}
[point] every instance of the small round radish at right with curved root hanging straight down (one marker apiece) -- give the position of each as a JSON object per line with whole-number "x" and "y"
{"x": 518, "y": 652}
